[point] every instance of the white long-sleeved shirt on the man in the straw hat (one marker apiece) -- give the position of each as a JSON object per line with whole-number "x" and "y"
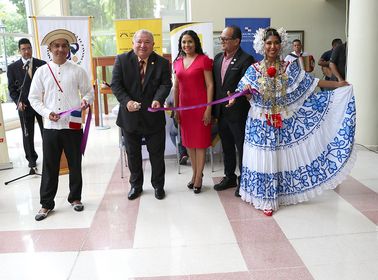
{"x": 45, "y": 96}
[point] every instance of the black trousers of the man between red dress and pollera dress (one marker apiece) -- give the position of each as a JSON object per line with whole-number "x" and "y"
{"x": 231, "y": 134}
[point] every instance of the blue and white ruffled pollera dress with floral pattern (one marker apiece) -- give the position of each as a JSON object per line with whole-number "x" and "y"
{"x": 312, "y": 152}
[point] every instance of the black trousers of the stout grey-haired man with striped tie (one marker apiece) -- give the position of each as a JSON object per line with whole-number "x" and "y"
{"x": 155, "y": 145}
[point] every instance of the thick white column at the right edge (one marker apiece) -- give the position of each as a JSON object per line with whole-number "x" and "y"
{"x": 362, "y": 69}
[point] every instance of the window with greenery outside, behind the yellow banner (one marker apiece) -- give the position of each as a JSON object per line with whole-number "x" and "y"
{"x": 104, "y": 12}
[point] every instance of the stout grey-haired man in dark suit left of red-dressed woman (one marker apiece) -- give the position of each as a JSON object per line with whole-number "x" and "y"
{"x": 141, "y": 79}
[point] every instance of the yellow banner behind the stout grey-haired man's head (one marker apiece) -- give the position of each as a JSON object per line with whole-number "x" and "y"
{"x": 125, "y": 30}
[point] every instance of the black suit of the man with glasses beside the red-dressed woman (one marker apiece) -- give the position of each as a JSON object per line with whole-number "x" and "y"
{"x": 231, "y": 121}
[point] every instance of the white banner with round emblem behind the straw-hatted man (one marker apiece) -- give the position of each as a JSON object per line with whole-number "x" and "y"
{"x": 81, "y": 53}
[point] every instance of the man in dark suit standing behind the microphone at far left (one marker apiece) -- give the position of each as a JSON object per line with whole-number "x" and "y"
{"x": 20, "y": 74}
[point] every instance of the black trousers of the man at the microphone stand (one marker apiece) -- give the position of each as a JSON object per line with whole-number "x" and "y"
{"x": 27, "y": 120}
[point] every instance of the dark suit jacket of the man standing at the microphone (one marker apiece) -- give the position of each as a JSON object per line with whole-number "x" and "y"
{"x": 16, "y": 76}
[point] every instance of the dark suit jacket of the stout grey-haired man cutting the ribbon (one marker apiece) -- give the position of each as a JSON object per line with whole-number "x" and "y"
{"x": 126, "y": 86}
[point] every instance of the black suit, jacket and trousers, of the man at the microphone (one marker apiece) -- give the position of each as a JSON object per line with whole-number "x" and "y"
{"x": 16, "y": 75}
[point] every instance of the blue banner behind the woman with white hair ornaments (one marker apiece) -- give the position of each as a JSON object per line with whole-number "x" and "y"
{"x": 248, "y": 27}
